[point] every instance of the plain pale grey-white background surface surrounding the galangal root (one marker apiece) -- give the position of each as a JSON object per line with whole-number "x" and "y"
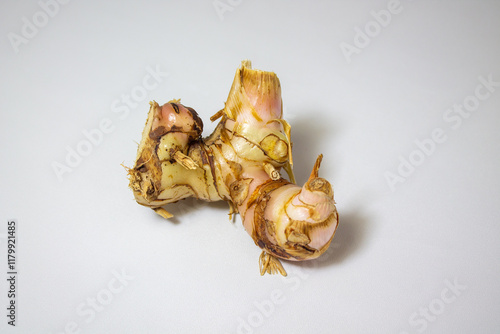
{"x": 397, "y": 249}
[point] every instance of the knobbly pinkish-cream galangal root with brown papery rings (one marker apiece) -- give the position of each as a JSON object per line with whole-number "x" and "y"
{"x": 239, "y": 163}
